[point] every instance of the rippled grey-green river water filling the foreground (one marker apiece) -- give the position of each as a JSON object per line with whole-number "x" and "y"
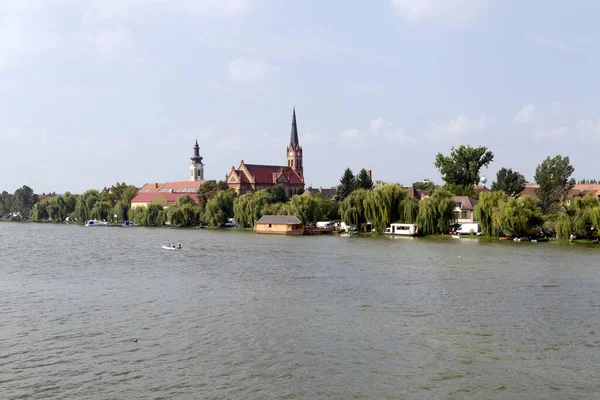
{"x": 236, "y": 315}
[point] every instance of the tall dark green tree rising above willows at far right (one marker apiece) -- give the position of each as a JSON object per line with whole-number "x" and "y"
{"x": 554, "y": 177}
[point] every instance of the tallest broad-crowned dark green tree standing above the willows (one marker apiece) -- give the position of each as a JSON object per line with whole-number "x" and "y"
{"x": 461, "y": 168}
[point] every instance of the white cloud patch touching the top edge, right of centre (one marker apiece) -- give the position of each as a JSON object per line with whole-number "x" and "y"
{"x": 453, "y": 12}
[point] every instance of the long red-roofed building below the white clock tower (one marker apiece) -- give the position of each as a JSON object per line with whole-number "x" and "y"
{"x": 165, "y": 194}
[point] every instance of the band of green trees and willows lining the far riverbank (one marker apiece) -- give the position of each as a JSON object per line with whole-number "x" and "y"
{"x": 553, "y": 212}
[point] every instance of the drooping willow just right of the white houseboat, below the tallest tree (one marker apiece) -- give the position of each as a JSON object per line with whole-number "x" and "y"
{"x": 436, "y": 211}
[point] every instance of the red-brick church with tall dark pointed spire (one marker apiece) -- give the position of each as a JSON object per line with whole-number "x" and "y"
{"x": 252, "y": 177}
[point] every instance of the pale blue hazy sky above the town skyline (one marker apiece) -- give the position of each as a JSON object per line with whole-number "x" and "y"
{"x": 103, "y": 91}
